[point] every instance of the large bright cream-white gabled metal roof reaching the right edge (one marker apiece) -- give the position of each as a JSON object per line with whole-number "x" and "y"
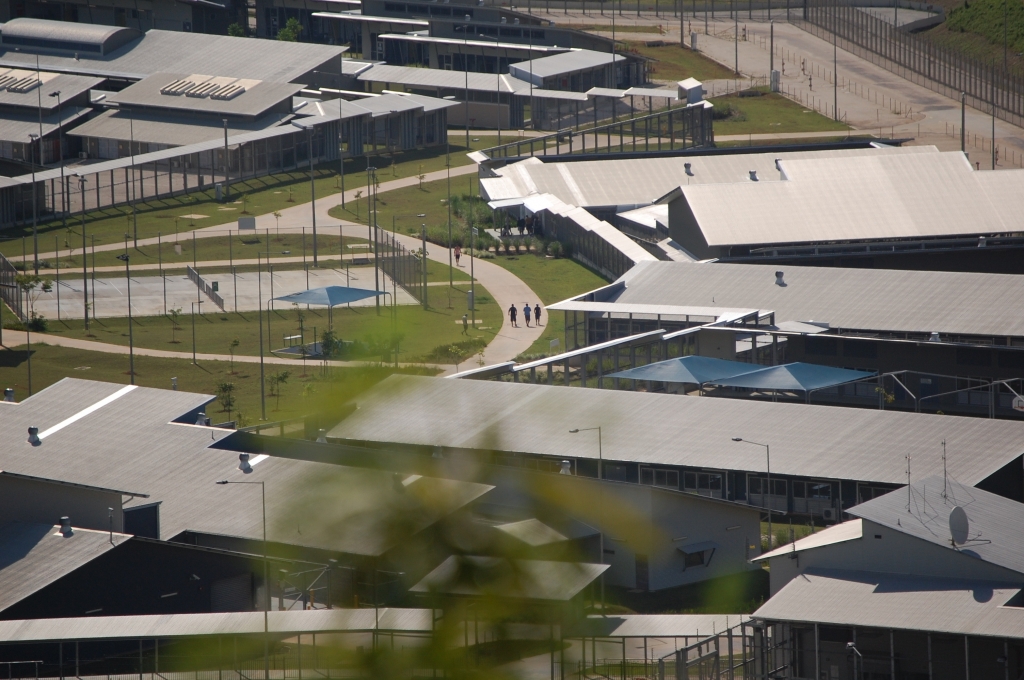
{"x": 868, "y": 198}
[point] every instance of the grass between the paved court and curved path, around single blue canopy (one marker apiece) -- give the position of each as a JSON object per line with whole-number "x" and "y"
{"x": 420, "y": 331}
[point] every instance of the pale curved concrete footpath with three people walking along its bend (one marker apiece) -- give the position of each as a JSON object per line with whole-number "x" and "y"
{"x": 506, "y": 288}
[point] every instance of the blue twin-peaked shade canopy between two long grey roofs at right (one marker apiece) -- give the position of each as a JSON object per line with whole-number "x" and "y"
{"x": 797, "y": 377}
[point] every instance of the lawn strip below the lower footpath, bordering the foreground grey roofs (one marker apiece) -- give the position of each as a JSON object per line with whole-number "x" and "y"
{"x": 314, "y": 394}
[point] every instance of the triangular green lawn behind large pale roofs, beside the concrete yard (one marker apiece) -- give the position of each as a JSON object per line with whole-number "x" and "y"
{"x": 769, "y": 113}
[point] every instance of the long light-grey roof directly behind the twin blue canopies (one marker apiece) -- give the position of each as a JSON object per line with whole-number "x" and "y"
{"x": 851, "y": 300}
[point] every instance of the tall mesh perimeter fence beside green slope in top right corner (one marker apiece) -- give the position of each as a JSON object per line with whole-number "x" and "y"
{"x": 986, "y": 86}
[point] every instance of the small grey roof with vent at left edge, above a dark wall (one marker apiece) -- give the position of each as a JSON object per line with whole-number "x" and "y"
{"x": 33, "y": 557}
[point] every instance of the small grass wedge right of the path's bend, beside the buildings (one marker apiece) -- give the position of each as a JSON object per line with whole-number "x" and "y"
{"x": 553, "y": 280}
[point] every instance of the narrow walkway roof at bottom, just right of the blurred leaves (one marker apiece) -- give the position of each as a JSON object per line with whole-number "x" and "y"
{"x": 658, "y": 625}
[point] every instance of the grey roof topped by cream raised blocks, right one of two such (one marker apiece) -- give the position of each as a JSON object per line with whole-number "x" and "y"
{"x": 258, "y": 99}
